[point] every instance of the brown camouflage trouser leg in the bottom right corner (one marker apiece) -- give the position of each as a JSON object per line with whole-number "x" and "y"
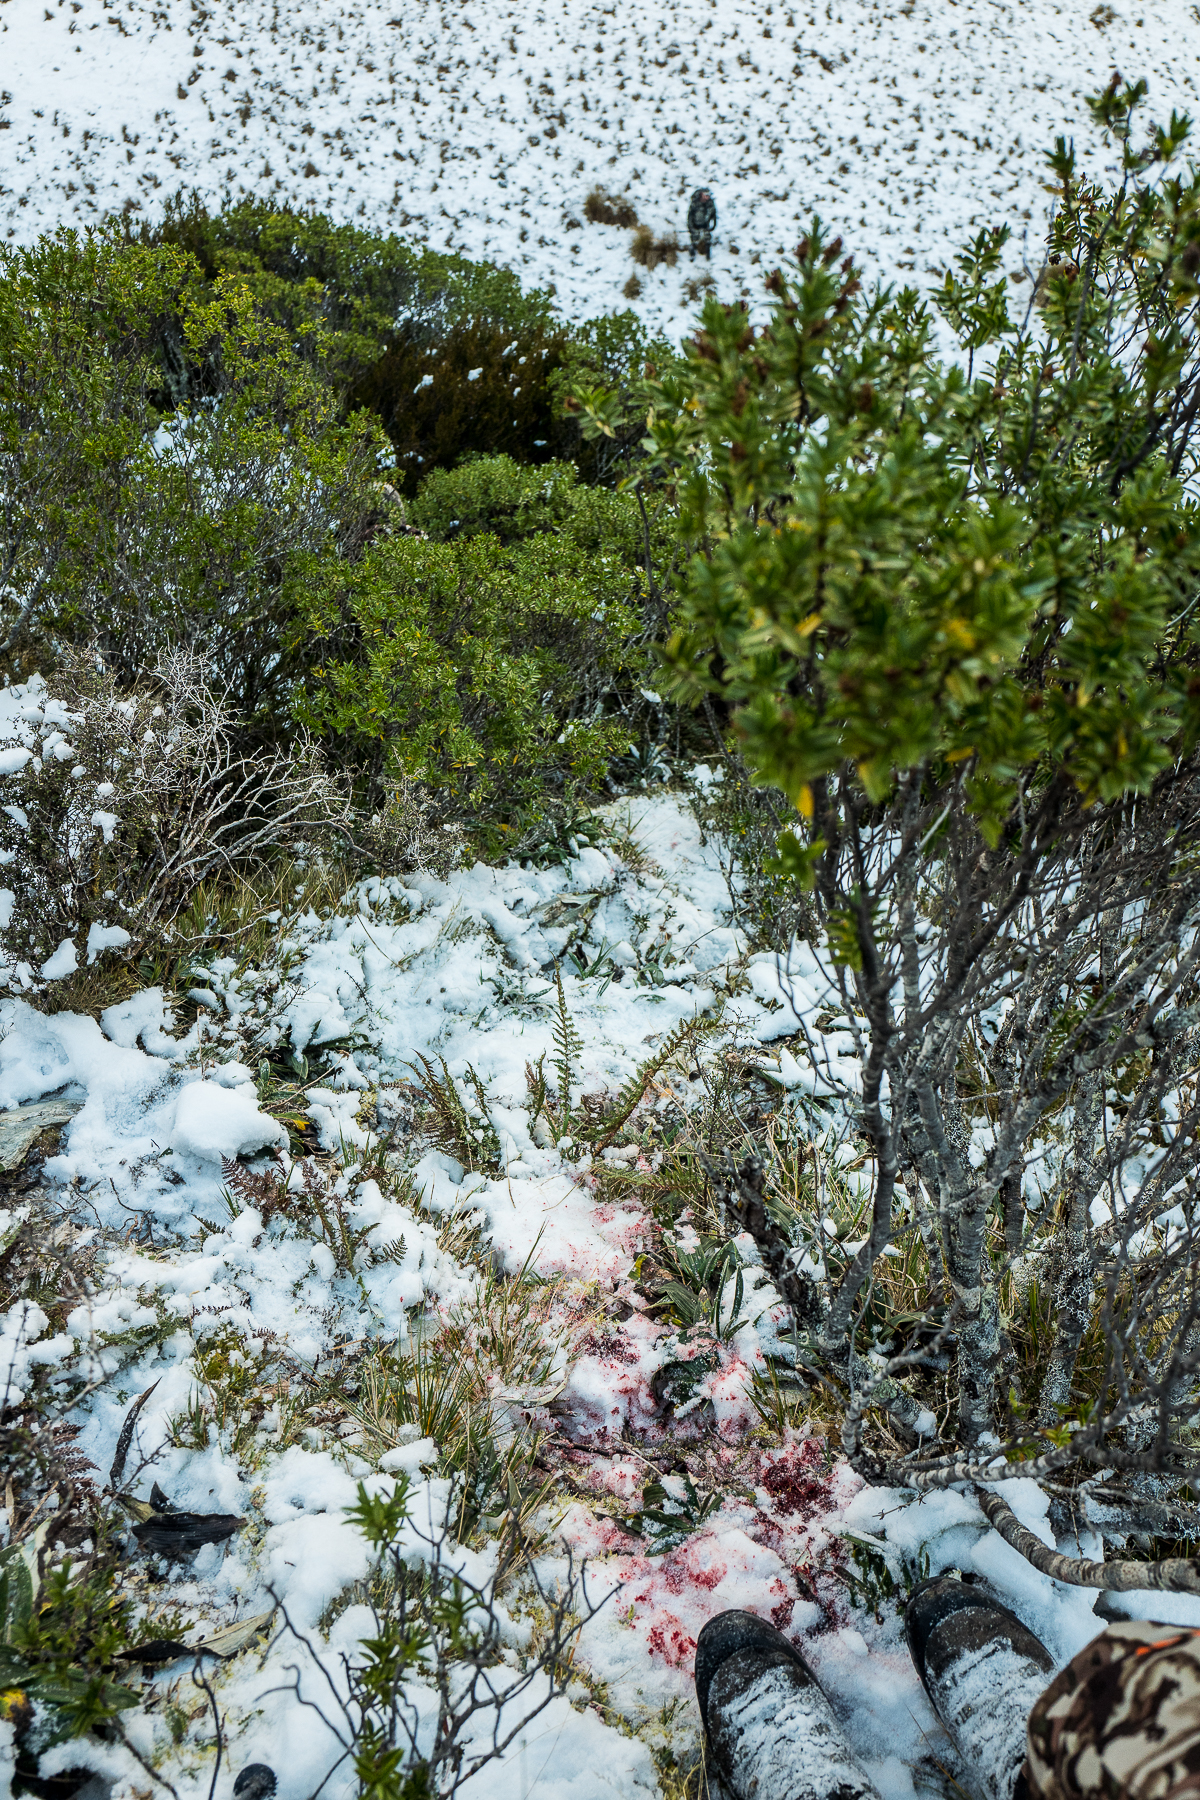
{"x": 1122, "y": 1722}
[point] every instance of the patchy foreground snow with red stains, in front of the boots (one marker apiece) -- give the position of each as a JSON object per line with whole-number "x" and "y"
{"x": 463, "y": 969}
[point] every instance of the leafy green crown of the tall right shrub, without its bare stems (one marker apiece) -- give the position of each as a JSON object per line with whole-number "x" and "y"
{"x": 908, "y": 566}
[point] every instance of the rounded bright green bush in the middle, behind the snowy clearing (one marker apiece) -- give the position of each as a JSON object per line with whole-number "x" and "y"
{"x": 476, "y": 669}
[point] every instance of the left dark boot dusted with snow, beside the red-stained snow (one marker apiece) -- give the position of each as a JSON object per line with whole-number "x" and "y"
{"x": 769, "y": 1727}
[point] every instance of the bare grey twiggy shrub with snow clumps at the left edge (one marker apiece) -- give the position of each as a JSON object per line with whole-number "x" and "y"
{"x": 114, "y": 807}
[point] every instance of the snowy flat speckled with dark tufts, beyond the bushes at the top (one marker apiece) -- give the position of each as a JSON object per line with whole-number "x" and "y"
{"x": 481, "y": 129}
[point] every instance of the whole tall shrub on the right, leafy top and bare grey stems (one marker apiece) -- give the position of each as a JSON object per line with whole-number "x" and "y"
{"x": 949, "y": 611}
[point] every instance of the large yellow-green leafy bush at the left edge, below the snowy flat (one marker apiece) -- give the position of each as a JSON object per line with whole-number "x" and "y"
{"x": 141, "y": 530}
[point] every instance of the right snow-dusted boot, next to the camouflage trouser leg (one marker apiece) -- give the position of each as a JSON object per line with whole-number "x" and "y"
{"x": 983, "y": 1671}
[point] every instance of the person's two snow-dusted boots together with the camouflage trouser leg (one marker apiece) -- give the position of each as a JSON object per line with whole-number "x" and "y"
{"x": 1122, "y": 1720}
